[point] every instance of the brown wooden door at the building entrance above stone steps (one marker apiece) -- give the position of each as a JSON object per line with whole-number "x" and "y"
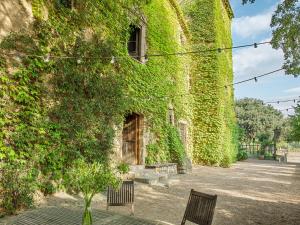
{"x": 131, "y": 139}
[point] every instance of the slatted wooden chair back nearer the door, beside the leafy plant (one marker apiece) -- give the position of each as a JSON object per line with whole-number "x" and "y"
{"x": 123, "y": 196}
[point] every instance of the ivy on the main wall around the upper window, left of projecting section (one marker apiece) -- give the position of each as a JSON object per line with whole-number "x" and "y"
{"x": 55, "y": 110}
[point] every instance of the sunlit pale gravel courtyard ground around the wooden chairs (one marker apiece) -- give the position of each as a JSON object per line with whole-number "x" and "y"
{"x": 250, "y": 192}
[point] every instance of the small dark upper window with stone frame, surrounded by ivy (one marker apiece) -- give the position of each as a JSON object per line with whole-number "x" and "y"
{"x": 136, "y": 42}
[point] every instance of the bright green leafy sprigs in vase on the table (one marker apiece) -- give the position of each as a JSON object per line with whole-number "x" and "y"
{"x": 90, "y": 179}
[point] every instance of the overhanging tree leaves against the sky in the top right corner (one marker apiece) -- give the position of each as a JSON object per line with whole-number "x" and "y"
{"x": 286, "y": 33}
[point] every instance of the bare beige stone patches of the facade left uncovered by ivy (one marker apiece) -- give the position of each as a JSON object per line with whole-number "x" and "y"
{"x": 17, "y": 14}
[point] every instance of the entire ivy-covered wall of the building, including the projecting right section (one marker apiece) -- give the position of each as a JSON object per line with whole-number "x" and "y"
{"x": 61, "y": 97}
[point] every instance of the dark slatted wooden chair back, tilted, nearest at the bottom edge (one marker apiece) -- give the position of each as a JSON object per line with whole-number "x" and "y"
{"x": 200, "y": 208}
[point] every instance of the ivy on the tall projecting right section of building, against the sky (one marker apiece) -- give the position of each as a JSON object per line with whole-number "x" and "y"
{"x": 215, "y": 132}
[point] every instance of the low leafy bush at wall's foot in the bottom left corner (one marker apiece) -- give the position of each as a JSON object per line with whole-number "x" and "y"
{"x": 18, "y": 185}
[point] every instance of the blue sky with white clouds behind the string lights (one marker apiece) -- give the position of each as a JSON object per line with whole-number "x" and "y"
{"x": 252, "y": 24}
